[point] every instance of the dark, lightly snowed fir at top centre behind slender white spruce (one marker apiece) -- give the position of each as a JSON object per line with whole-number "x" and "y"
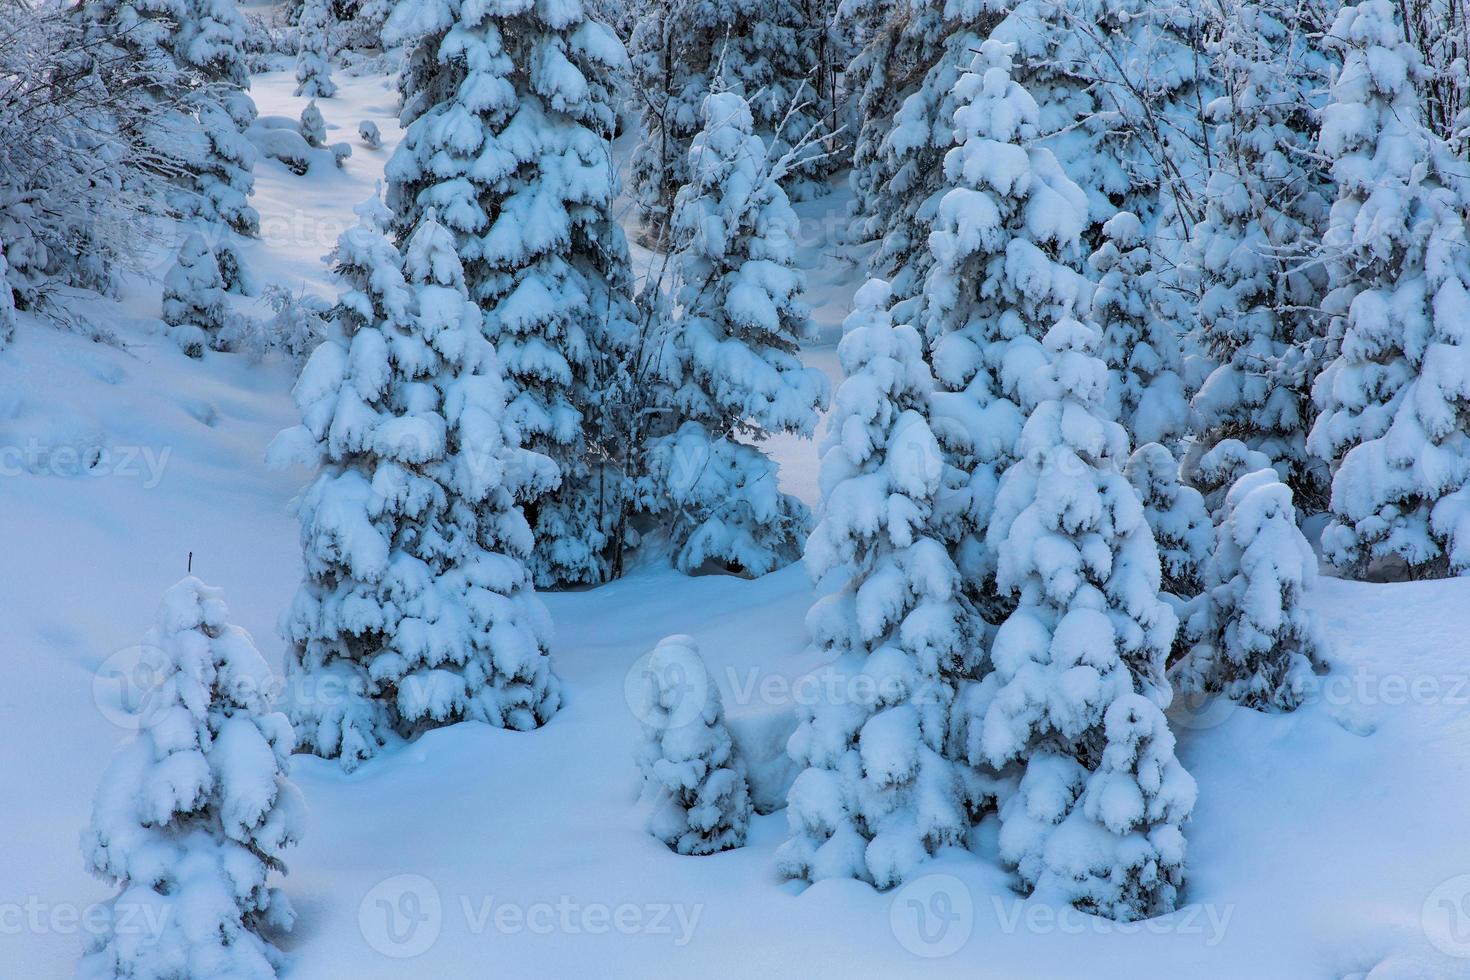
{"x": 683, "y": 51}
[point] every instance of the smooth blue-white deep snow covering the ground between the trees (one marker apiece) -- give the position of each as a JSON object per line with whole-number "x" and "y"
{"x": 1328, "y": 844}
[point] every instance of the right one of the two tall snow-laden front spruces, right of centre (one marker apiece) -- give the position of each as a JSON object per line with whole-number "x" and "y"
{"x": 1078, "y": 685}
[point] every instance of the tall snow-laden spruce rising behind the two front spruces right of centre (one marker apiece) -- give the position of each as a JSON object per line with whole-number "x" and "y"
{"x": 1006, "y": 270}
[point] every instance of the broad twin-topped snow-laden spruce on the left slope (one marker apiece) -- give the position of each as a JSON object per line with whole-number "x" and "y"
{"x": 417, "y": 610}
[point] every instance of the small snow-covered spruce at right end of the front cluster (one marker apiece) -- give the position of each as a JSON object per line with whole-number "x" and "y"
{"x": 1255, "y": 640}
